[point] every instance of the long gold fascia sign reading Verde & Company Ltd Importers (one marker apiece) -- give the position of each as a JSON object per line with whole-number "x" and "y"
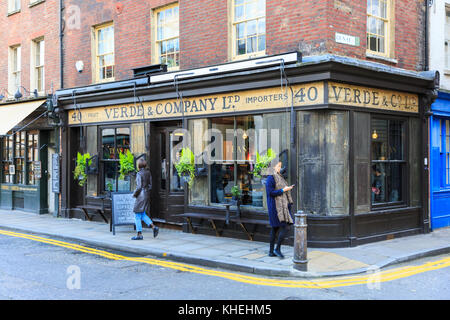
{"x": 240, "y": 101}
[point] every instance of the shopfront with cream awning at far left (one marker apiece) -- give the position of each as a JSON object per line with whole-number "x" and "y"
{"x": 27, "y": 142}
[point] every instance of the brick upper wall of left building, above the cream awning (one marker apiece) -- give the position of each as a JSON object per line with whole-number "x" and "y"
{"x": 21, "y": 28}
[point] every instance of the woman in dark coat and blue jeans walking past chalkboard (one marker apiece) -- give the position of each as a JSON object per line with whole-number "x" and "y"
{"x": 142, "y": 202}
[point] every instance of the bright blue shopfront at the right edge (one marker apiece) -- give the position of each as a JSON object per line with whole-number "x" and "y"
{"x": 440, "y": 162}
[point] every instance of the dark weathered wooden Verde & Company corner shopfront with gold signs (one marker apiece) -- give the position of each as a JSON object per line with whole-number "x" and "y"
{"x": 349, "y": 135}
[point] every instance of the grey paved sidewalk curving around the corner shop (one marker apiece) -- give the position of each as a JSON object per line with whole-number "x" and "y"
{"x": 228, "y": 253}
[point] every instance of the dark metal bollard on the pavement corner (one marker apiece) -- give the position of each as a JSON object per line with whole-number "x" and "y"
{"x": 300, "y": 242}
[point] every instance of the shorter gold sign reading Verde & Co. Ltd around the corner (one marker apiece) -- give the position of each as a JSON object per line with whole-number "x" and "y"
{"x": 357, "y": 96}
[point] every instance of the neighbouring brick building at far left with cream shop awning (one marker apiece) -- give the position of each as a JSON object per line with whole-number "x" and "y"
{"x": 30, "y": 65}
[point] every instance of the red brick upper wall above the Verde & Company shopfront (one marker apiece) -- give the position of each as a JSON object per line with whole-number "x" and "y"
{"x": 308, "y": 26}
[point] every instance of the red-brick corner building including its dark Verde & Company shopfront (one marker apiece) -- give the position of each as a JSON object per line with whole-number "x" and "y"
{"x": 359, "y": 88}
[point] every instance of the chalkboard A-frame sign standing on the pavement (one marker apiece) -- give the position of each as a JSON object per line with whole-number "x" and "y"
{"x": 122, "y": 209}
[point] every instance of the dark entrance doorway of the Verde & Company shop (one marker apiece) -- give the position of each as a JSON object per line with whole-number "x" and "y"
{"x": 167, "y": 188}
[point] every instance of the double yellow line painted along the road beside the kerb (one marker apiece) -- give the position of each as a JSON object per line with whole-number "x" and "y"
{"x": 322, "y": 283}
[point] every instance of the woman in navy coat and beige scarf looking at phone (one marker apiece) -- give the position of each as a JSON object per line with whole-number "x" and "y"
{"x": 279, "y": 203}
